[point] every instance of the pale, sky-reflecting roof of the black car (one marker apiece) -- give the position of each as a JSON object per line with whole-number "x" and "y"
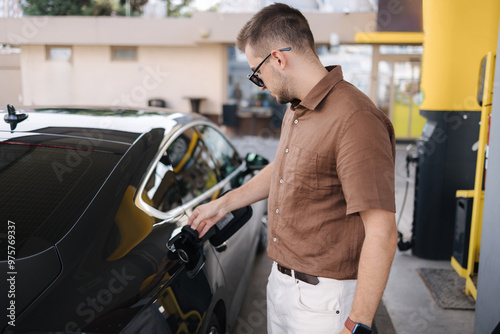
{"x": 116, "y": 124}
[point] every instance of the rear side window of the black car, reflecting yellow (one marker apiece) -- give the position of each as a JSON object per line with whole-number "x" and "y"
{"x": 192, "y": 164}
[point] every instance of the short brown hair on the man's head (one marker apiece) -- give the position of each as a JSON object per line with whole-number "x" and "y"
{"x": 276, "y": 26}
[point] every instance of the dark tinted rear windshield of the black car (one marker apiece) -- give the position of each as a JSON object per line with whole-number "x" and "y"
{"x": 44, "y": 190}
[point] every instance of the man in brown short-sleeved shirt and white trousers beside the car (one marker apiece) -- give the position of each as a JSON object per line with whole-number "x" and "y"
{"x": 332, "y": 230}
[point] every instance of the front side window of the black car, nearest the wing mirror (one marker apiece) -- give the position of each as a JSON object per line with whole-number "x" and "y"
{"x": 225, "y": 156}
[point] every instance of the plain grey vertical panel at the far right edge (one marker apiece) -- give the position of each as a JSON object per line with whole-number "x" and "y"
{"x": 488, "y": 293}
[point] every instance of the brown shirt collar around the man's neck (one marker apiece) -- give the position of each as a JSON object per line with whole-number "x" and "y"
{"x": 319, "y": 92}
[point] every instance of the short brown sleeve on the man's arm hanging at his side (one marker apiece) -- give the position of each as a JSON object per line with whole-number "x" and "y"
{"x": 365, "y": 162}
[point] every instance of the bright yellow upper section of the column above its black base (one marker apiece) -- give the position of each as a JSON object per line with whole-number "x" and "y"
{"x": 457, "y": 34}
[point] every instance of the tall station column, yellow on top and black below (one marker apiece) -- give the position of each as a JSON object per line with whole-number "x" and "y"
{"x": 458, "y": 33}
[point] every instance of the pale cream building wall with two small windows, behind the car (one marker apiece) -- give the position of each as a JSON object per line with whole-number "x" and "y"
{"x": 92, "y": 78}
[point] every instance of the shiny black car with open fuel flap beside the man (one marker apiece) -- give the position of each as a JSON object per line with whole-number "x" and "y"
{"x": 94, "y": 205}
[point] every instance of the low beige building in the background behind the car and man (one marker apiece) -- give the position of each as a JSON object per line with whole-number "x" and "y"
{"x": 130, "y": 61}
